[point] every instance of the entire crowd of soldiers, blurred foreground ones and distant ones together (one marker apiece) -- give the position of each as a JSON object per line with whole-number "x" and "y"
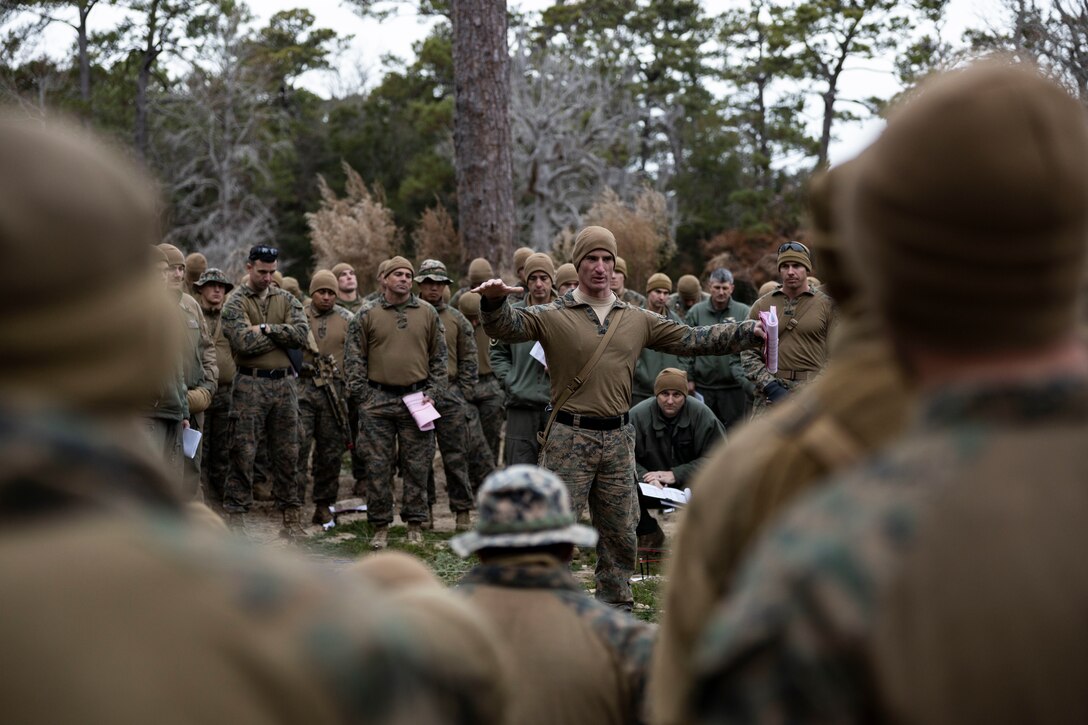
{"x": 885, "y": 523}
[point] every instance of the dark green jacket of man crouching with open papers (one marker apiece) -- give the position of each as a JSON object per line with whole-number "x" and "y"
{"x": 681, "y": 448}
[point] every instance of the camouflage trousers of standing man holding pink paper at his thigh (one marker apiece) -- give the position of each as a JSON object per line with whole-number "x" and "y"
{"x": 385, "y": 422}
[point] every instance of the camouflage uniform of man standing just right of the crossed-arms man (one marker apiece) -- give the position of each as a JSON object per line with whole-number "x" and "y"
{"x": 318, "y": 426}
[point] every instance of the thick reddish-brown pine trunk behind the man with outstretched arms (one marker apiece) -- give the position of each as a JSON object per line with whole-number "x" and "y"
{"x": 483, "y": 131}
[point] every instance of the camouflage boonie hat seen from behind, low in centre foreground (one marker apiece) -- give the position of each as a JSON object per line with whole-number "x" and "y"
{"x": 524, "y": 507}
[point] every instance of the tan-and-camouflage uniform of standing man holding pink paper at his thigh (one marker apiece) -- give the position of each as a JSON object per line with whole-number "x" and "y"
{"x": 385, "y": 421}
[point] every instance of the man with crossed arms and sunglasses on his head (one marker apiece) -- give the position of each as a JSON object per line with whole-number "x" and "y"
{"x": 264, "y": 324}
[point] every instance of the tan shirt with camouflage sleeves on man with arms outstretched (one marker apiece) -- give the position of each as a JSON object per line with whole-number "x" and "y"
{"x": 570, "y": 334}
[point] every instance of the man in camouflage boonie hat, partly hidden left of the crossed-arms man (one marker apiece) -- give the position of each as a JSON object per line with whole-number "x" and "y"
{"x": 216, "y": 459}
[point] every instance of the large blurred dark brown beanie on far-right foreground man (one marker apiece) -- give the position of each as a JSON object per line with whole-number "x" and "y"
{"x": 978, "y": 188}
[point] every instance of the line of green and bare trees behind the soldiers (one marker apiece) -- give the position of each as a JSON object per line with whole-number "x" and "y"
{"x": 691, "y": 136}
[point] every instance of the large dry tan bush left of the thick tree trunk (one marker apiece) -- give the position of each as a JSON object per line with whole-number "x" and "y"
{"x": 357, "y": 229}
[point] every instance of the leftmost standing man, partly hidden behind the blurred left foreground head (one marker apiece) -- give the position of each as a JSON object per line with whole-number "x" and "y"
{"x": 200, "y": 368}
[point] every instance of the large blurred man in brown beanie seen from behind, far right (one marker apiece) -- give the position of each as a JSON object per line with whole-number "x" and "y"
{"x": 995, "y": 460}
